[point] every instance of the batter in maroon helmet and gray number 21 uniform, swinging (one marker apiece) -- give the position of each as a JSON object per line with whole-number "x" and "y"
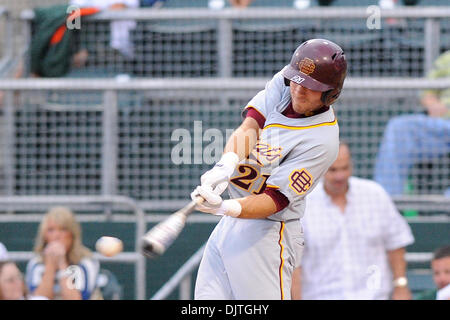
{"x": 286, "y": 142}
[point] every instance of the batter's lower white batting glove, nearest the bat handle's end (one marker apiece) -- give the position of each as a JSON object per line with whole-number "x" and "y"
{"x": 217, "y": 206}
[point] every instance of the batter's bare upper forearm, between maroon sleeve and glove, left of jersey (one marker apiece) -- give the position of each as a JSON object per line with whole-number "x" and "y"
{"x": 243, "y": 139}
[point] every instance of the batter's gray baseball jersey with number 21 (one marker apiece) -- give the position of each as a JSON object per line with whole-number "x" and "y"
{"x": 291, "y": 155}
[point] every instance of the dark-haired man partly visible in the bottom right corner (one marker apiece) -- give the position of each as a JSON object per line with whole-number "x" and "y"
{"x": 440, "y": 264}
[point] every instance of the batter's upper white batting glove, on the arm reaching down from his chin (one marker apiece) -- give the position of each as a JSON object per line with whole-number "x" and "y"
{"x": 216, "y": 179}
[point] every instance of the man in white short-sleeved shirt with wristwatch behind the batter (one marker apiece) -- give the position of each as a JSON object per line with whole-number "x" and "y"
{"x": 355, "y": 240}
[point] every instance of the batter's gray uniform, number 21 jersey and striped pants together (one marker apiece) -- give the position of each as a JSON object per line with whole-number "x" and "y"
{"x": 255, "y": 258}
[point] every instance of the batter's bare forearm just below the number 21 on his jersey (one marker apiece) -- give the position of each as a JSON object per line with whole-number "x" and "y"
{"x": 257, "y": 206}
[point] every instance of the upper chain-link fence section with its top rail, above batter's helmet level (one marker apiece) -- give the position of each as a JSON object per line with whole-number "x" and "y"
{"x": 249, "y": 43}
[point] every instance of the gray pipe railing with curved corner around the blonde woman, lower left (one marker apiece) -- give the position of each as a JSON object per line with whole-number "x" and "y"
{"x": 16, "y": 208}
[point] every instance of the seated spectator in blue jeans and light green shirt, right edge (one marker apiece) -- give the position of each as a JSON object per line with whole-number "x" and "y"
{"x": 409, "y": 139}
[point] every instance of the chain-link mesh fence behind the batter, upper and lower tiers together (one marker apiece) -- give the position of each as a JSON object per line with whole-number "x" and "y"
{"x": 62, "y": 141}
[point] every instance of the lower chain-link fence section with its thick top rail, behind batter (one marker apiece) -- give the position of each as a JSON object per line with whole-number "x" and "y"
{"x": 124, "y": 147}
